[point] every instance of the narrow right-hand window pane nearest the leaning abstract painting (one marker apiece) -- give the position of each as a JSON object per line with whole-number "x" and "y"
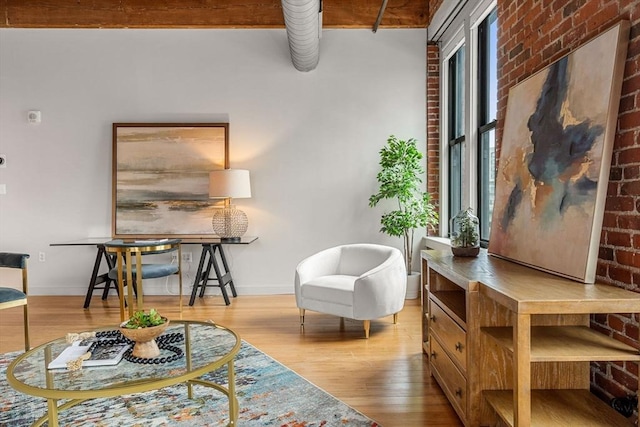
{"x": 487, "y": 107}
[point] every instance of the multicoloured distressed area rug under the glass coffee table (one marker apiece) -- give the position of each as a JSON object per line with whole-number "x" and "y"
{"x": 269, "y": 394}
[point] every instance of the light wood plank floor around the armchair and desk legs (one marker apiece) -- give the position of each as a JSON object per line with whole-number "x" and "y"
{"x": 385, "y": 377}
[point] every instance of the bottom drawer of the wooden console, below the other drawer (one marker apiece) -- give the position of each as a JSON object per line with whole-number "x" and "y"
{"x": 449, "y": 377}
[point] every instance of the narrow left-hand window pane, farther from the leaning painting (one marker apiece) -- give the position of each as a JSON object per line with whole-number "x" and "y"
{"x": 456, "y": 130}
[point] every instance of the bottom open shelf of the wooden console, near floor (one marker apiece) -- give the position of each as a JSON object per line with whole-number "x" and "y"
{"x": 558, "y": 408}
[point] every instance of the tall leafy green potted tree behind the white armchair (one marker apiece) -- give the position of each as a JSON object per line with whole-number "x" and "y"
{"x": 400, "y": 179}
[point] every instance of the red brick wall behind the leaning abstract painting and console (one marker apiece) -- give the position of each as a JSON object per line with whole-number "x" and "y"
{"x": 534, "y": 33}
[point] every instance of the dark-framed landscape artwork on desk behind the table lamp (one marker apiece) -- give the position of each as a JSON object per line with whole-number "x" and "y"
{"x": 160, "y": 178}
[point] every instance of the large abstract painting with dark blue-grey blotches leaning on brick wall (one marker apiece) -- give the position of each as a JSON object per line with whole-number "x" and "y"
{"x": 555, "y": 158}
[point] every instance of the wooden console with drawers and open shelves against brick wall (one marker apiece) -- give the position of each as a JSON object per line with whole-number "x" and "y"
{"x": 511, "y": 345}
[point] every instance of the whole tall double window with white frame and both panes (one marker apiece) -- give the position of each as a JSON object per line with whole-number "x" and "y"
{"x": 466, "y": 33}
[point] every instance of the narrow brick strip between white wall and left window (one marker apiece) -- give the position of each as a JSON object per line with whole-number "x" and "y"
{"x": 433, "y": 124}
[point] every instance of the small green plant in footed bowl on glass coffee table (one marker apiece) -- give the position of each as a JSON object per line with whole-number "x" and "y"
{"x": 143, "y": 328}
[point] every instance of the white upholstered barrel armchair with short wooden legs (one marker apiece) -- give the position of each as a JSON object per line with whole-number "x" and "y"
{"x": 358, "y": 281}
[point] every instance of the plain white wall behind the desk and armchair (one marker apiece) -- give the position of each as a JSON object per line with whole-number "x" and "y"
{"x": 310, "y": 140}
